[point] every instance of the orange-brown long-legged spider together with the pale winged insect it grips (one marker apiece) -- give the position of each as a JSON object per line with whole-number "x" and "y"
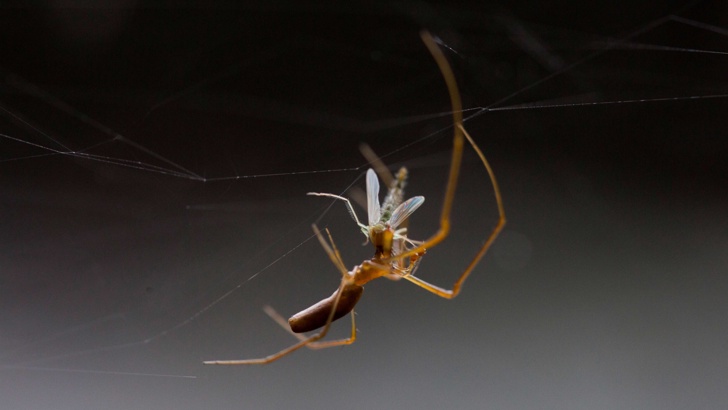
{"x": 396, "y": 256}
